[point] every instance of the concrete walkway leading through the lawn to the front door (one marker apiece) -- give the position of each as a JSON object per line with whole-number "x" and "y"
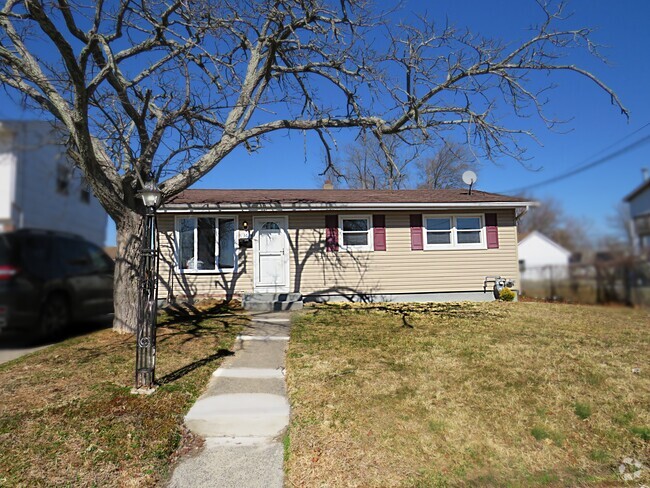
{"x": 243, "y": 414}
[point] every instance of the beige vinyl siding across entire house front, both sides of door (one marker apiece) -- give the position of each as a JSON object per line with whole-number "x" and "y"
{"x": 313, "y": 270}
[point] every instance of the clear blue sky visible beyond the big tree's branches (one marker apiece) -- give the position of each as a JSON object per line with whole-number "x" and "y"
{"x": 595, "y": 126}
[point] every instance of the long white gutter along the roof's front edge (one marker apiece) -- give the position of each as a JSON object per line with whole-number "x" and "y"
{"x": 305, "y": 207}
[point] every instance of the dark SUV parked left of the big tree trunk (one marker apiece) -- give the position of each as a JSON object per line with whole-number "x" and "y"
{"x": 50, "y": 279}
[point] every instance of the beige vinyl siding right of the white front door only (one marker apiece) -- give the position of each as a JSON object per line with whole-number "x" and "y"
{"x": 398, "y": 269}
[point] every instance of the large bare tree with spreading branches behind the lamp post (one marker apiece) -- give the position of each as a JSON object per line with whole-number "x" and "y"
{"x": 168, "y": 88}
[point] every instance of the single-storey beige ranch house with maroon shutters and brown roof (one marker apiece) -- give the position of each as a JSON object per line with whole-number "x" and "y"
{"x": 375, "y": 245}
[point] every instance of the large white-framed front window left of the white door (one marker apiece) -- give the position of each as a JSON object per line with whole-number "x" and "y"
{"x": 206, "y": 243}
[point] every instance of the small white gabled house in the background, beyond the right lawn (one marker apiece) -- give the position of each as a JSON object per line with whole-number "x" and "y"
{"x": 541, "y": 258}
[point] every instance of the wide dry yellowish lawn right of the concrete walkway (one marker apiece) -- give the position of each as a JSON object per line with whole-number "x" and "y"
{"x": 462, "y": 394}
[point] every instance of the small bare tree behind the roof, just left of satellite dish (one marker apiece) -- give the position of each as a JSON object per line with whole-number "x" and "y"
{"x": 445, "y": 169}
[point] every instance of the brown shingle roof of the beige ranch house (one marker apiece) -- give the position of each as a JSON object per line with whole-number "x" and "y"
{"x": 338, "y": 196}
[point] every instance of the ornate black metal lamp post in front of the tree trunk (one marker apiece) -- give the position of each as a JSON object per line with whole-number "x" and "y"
{"x": 145, "y": 355}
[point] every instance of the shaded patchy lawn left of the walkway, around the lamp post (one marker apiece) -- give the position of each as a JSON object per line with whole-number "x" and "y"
{"x": 67, "y": 417}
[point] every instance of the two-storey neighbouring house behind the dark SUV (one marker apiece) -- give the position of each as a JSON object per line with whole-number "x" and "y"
{"x": 40, "y": 188}
